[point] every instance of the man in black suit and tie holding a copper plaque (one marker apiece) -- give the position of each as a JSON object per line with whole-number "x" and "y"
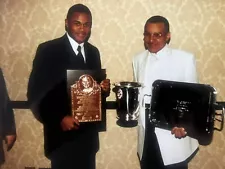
{"x": 68, "y": 144}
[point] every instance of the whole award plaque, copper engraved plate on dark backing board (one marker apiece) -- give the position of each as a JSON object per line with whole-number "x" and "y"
{"x": 85, "y": 94}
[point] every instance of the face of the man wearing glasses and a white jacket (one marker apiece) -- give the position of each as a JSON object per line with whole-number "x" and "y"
{"x": 155, "y": 36}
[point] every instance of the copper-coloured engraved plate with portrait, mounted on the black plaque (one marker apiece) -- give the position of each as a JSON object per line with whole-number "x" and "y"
{"x": 86, "y": 99}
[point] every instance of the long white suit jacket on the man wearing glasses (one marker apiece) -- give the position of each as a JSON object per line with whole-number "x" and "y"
{"x": 167, "y": 64}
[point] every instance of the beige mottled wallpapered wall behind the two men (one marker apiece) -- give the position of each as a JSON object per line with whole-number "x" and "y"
{"x": 196, "y": 26}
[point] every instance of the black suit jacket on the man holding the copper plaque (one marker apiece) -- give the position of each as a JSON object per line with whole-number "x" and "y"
{"x": 47, "y": 92}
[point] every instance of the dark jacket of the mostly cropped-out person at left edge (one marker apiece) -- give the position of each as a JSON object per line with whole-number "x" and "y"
{"x": 7, "y": 122}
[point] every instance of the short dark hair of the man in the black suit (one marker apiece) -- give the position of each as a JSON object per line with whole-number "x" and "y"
{"x": 78, "y": 8}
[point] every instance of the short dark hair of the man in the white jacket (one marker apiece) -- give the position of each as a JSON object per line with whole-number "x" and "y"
{"x": 159, "y": 19}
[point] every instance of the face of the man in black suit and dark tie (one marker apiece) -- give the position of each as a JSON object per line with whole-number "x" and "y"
{"x": 78, "y": 26}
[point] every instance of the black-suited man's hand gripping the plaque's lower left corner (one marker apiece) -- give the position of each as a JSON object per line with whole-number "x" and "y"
{"x": 69, "y": 123}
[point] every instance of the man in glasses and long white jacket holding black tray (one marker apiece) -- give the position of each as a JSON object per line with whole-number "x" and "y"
{"x": 162, "y": 149}
